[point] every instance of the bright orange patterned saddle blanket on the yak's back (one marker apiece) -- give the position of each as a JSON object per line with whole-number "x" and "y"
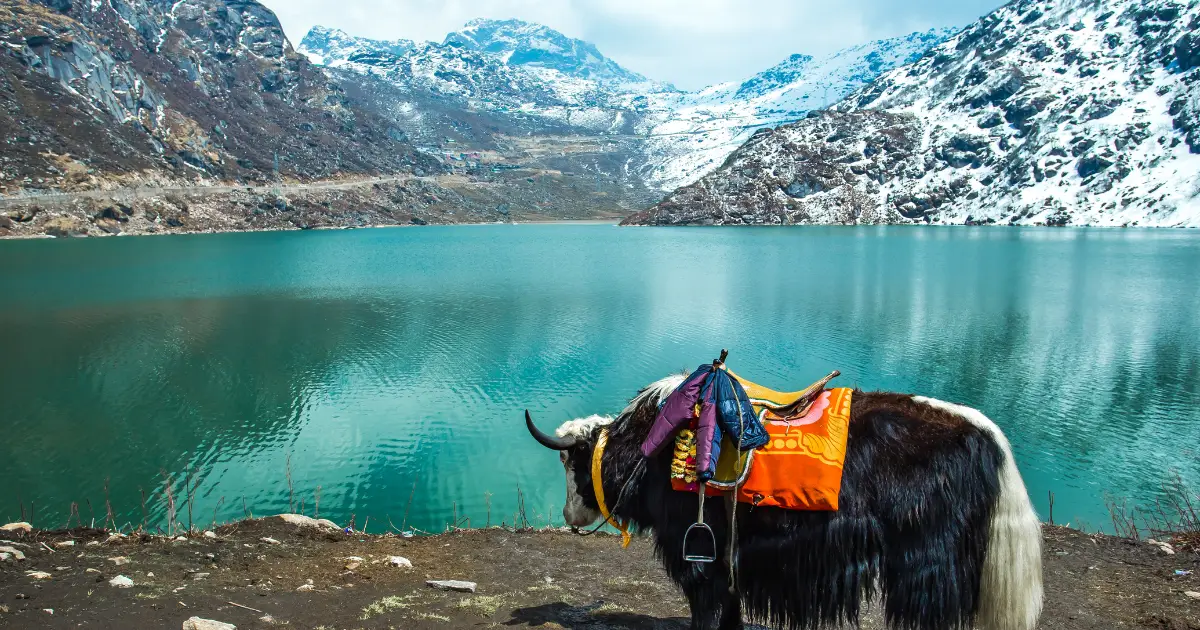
{"x": 800, "y": 469}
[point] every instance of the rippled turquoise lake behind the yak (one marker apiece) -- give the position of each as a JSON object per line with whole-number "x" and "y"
{"x": 391, "y": 368}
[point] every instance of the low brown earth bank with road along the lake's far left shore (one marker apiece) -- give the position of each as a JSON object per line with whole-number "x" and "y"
{"x": 401, "y": 201}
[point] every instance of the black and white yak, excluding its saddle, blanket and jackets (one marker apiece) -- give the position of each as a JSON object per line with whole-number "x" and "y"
{"x": 934, "y": 523}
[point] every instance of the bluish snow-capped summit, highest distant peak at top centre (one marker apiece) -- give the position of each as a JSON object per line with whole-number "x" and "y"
{"x": 525, "y": 44}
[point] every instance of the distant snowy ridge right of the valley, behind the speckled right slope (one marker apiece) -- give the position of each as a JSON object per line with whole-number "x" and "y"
{"x": 703, "y": 129}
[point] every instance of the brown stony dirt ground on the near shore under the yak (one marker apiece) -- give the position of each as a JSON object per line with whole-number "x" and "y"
{"x": 525, "y": 580}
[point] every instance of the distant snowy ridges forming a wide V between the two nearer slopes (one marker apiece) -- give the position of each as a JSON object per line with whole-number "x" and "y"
{"x": 686, "y": 134}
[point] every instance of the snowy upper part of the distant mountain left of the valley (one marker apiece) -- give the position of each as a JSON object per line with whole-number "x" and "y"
{"x": 507, "y": 69}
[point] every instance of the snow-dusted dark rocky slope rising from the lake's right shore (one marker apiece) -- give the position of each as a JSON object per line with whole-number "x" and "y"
{"x": 1081, "y": 112}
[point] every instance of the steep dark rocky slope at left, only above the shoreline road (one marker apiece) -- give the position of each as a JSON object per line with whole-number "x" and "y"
{"x": 127, "y": 92}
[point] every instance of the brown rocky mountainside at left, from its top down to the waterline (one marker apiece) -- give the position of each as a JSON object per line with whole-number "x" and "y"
{"x": 197, "y": 116}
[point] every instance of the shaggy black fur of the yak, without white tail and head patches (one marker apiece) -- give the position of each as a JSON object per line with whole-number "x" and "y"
{"x": 919, "y": 491}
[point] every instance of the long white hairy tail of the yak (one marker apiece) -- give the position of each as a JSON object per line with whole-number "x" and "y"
{"x": 1011, "y": 592}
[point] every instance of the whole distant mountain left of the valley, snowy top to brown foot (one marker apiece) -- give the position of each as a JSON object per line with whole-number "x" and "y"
{"x": 506, "y": 95}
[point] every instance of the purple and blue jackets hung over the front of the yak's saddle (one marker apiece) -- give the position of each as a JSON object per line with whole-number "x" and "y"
{"x": 724, "y": 409}
